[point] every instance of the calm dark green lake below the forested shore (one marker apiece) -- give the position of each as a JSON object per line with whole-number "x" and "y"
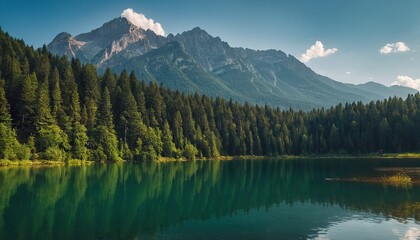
{"x": 259, "y": 199}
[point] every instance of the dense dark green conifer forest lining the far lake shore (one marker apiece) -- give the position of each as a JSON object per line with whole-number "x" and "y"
{"x": 55, "y": 109}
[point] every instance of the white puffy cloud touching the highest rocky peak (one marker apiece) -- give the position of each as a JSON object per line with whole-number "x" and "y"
{"x": 141, "y": 21}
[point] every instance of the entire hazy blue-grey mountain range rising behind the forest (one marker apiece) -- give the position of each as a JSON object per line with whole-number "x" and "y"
{"x": 194, "y": 61}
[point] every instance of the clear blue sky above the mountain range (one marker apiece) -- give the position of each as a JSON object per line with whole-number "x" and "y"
{"x": 353, "y": 30}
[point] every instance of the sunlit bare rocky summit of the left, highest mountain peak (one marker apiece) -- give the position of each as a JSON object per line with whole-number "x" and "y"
{"x": 102, "y": 44}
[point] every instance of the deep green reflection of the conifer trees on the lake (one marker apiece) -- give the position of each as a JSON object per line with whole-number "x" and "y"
{"x": 123, "y": 201}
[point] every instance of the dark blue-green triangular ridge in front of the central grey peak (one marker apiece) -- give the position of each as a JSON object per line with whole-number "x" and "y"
{"x": 180, "y": 71}
